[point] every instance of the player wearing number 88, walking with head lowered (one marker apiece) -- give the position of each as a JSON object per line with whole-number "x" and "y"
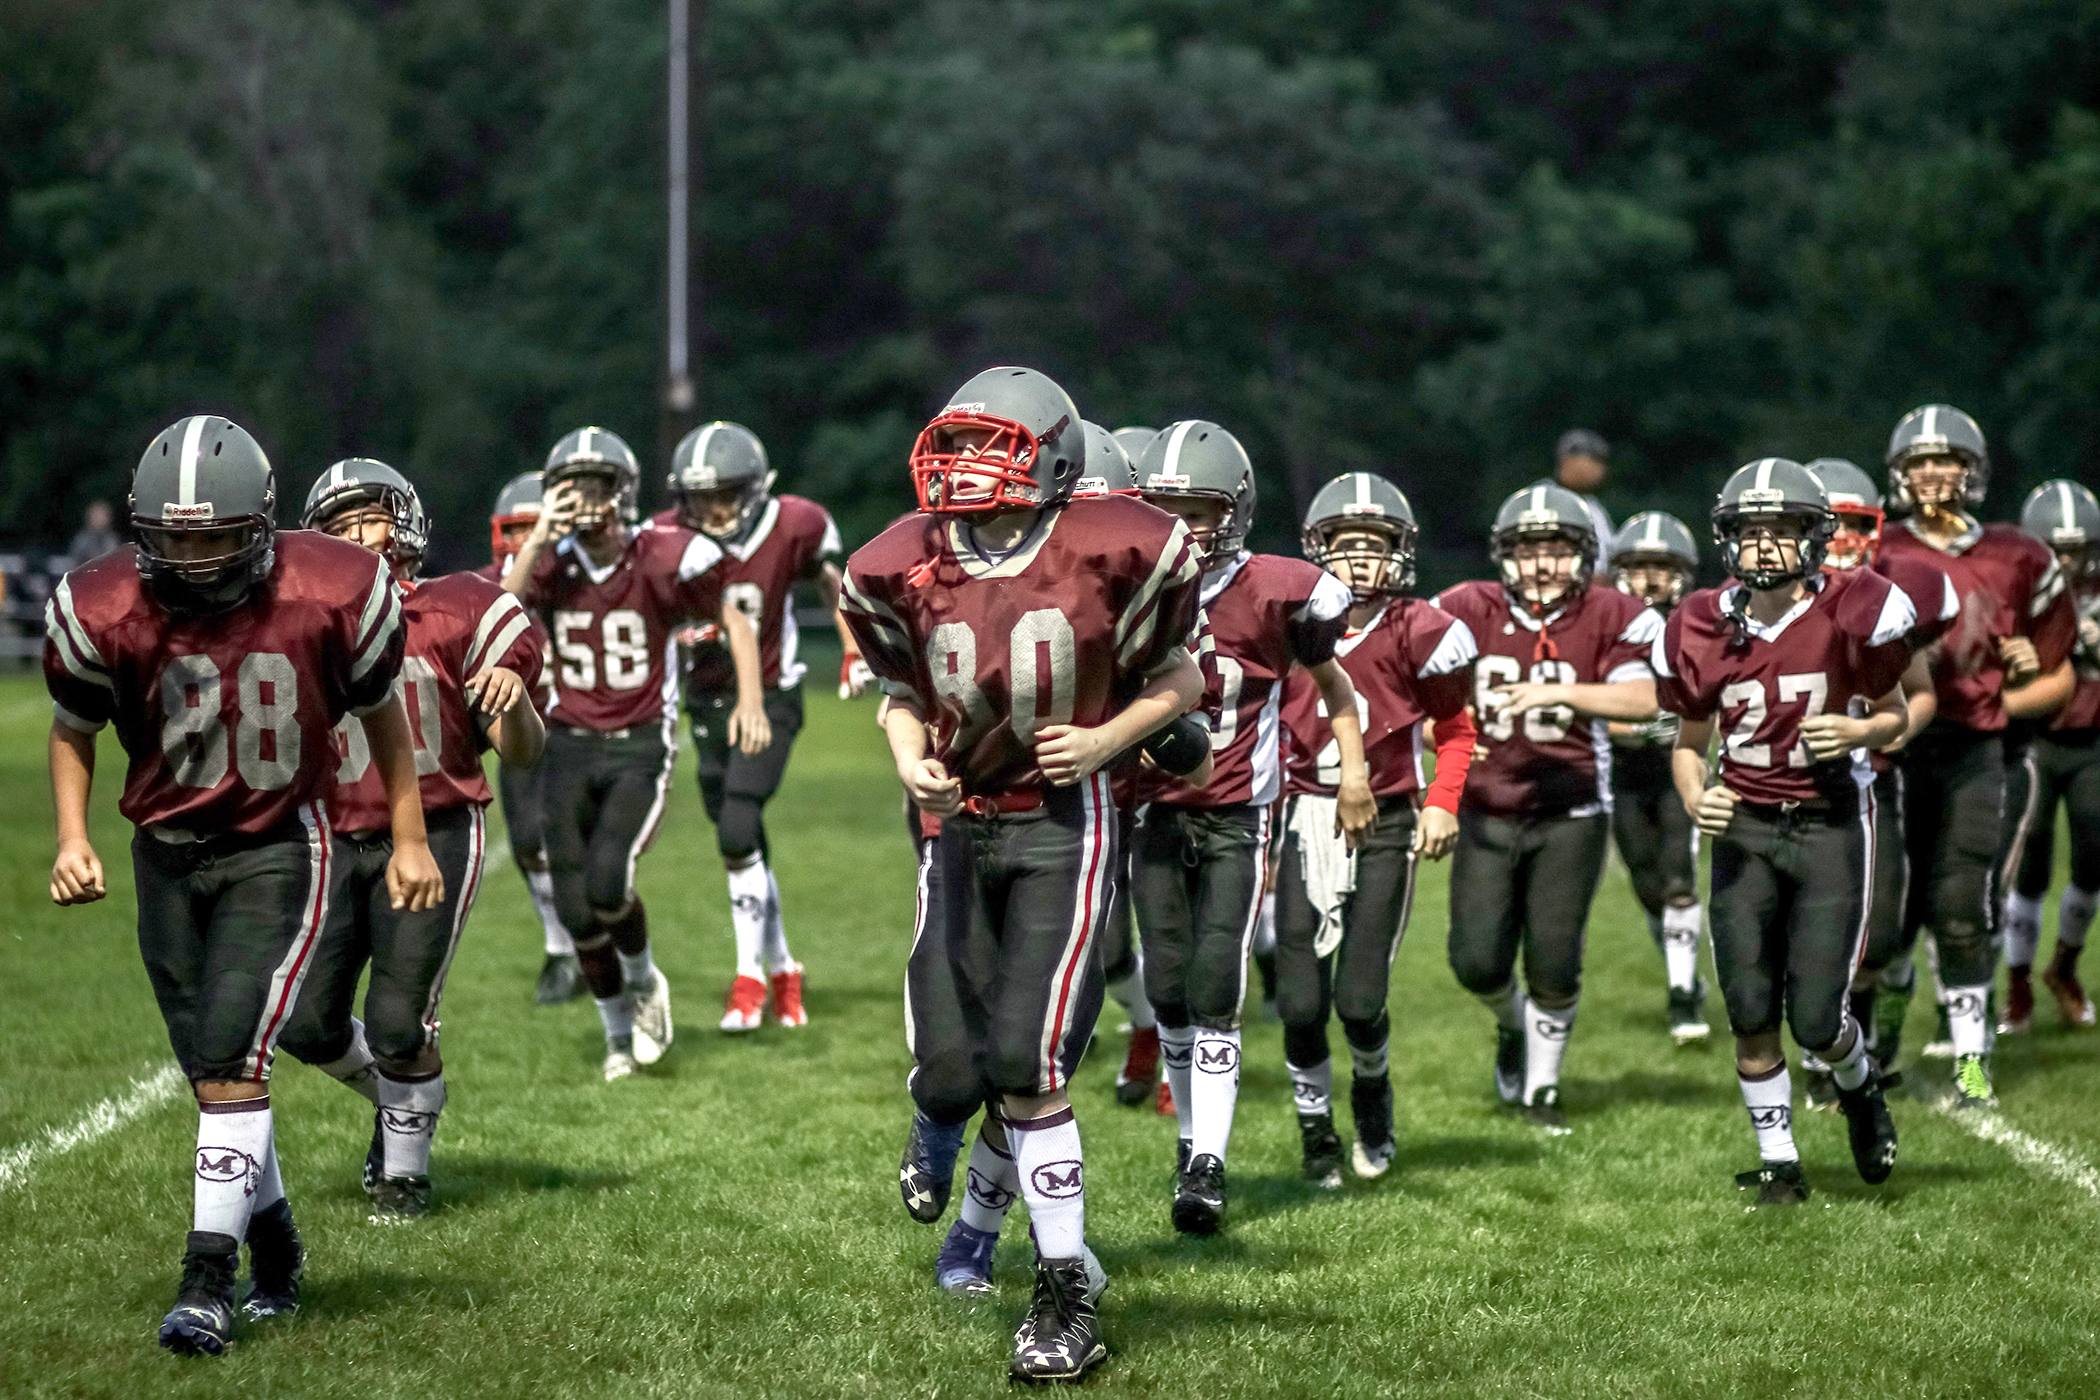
{"x": 226, "y": 654}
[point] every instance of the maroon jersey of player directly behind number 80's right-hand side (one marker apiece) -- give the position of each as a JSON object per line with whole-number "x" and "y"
{"x": 1263, "y": 616}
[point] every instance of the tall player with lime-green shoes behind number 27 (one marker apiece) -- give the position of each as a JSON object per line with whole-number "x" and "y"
{"x": 1996, "y": 664}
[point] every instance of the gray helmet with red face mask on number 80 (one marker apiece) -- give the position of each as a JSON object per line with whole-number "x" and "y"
{"x": 1030, "y": 446}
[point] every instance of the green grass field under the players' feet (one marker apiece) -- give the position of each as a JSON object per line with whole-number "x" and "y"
{"x": 730, "y": 1225}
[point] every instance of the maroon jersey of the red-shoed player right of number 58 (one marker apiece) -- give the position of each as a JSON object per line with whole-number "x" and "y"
{"x": 789, "y": 545}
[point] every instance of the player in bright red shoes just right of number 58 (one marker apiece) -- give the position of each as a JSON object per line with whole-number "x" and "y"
{"x": 721, "y": 488}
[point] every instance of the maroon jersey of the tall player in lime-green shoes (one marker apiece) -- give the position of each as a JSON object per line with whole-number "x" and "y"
{"x": 2011, "y": 587}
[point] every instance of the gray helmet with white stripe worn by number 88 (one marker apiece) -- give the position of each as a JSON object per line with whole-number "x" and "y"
{"x": 205, "y": 480}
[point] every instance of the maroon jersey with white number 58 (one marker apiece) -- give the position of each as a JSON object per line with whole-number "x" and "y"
{"x": 614, "y": 629}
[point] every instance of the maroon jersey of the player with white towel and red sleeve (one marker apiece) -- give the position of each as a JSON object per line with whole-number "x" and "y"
{"x": 1410, "y": 664}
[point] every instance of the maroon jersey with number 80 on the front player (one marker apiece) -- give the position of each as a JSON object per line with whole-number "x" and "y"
{"x": 1062, "y": 631}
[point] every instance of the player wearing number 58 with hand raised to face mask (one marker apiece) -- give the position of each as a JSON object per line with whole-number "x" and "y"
{"x": 614, "y": 601}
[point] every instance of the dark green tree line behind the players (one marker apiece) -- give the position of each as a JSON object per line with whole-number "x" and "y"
{"x": 1416, "y": 238}
